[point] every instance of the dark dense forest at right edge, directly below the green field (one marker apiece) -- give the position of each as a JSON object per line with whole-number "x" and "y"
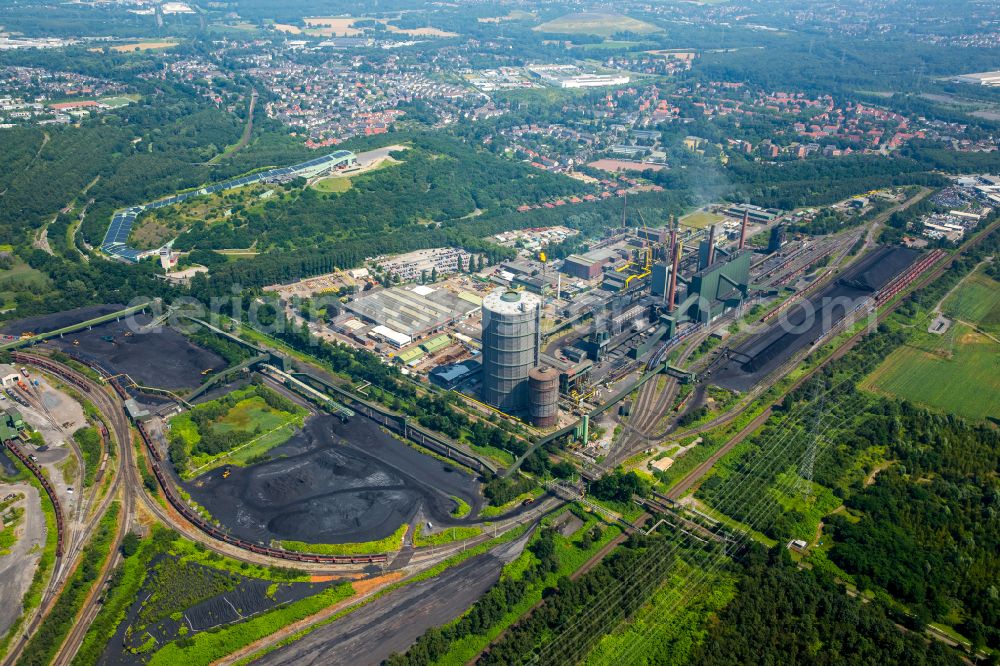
{"x": 930, "y": 524}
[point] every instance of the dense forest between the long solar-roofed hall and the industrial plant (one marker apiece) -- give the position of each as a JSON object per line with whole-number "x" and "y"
{"x": 439, "y": 180}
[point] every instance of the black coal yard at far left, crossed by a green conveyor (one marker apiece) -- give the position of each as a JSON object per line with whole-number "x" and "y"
{"x": 164, "y": 358}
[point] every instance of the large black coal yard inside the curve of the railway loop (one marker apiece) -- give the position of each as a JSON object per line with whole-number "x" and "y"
{"x": 334, "y": 483}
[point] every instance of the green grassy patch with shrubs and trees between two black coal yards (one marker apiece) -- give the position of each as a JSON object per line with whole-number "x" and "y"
{"x": 233, "y": 430}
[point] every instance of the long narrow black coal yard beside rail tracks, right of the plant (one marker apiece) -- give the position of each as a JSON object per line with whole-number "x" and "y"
{"x": 801, "y": 325}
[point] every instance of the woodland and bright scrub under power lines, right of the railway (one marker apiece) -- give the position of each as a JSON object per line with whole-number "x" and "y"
{"x": 924, "y": 525}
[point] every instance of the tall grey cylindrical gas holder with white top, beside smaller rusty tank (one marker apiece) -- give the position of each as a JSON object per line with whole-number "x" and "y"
{"x": 511, "y": 342}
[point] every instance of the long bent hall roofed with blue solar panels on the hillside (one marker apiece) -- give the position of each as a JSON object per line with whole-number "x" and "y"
{"x": 116, "y": 239}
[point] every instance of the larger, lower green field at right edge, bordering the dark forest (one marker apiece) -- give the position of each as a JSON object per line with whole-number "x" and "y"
{"x": 958, "y": 372}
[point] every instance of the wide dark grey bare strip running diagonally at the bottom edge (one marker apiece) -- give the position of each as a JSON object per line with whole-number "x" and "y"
{"x": 392, "y": 623}
